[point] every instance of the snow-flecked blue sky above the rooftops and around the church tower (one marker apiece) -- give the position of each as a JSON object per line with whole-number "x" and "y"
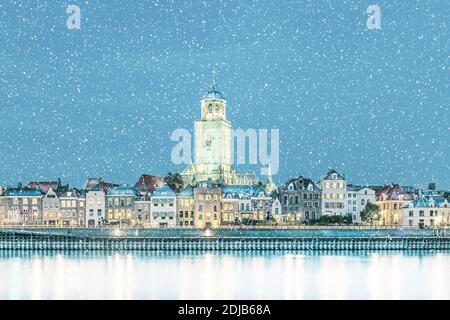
{"x": 103, "y": 100}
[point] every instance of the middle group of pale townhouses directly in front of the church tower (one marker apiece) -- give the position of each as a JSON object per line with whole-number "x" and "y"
{"x": 210, "y": 205}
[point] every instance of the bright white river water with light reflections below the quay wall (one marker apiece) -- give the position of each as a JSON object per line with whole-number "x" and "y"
{"x": 233, "y": 275}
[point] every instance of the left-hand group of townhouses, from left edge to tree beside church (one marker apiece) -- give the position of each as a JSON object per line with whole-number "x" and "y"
{"x": 52, "y": 204}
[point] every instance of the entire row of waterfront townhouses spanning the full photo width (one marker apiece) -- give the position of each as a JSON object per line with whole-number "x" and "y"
{"x": 151, "y": 203}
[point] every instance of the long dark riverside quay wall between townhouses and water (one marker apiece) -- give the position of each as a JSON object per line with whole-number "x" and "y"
{"x": 236, "y": 239}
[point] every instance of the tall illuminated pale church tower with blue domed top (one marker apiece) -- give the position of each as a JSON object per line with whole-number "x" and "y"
{"x": 212, "y": 142}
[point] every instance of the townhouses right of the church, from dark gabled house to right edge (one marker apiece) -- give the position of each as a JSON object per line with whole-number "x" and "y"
{"x": 303, "y": 200}
